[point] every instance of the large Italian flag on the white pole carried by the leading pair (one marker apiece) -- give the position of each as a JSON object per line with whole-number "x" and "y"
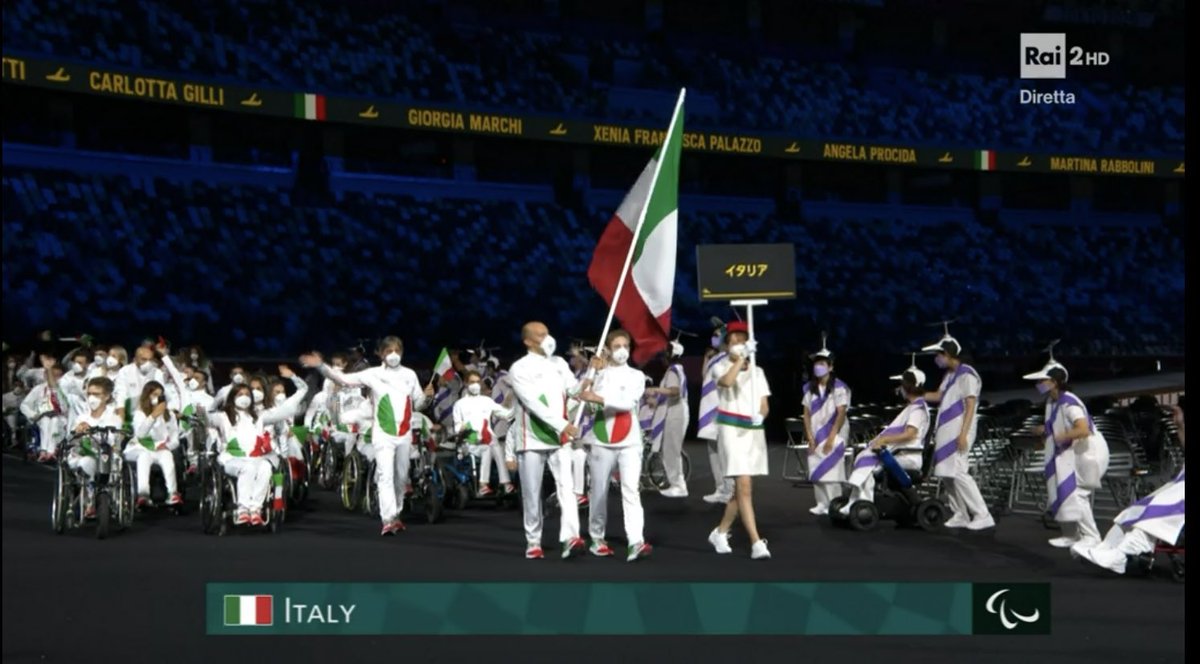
{"x": 644, "y": 232}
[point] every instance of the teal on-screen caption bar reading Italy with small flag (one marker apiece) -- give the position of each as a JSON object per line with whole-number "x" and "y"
{"x": 515, "y": 609}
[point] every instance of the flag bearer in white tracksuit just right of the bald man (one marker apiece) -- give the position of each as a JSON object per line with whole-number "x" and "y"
{"x": 616, "y": 441}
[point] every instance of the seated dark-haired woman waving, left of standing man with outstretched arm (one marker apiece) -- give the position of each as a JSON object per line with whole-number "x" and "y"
{"x": 245, "y": 448}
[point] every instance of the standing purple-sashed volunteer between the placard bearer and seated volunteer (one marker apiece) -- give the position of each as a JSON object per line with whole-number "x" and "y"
{"x": 826, "y": 402}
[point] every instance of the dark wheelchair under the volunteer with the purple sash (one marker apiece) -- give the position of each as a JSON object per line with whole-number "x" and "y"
{"x": 896, "y": 500}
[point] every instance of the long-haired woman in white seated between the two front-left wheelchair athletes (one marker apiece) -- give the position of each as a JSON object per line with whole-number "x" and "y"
{"x": 155, "y": 439}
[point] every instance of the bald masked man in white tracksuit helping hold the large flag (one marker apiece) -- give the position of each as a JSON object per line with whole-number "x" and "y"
{"x": 541, "y": 435}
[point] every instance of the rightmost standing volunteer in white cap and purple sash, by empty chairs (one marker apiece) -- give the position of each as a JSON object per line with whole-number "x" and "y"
{"x": 1077, "y": 458}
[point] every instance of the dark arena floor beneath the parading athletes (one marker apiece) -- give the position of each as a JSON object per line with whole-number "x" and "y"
{"x": 140, "y": 596}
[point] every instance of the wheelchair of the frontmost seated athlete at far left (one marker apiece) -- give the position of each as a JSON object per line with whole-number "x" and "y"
{"x": 113, "y": 484}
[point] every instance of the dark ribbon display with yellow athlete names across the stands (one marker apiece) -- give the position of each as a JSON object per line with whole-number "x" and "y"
{"x": 169, "y": 88}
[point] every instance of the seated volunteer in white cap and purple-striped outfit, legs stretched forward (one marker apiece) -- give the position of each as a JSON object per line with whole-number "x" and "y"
{"x": 905, "y": 436}
